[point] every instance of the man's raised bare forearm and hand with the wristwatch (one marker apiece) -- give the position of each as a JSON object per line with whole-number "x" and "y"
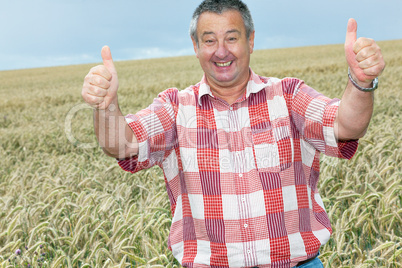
{"x": 365, "y": 62}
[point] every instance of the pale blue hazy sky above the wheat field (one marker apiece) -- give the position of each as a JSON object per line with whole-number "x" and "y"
{"x": 45, "y": 33}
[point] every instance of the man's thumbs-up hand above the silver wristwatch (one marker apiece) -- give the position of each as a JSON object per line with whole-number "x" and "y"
{"x": 363, "y": 56}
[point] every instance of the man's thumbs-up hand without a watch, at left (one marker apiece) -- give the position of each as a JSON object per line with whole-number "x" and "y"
{"x": 101, "y": 83}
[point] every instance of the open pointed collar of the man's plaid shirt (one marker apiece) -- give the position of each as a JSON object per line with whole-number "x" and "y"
{"x": 254, "y": 85}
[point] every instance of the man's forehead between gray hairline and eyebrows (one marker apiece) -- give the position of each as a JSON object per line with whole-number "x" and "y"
{"x": 220, "y": 23}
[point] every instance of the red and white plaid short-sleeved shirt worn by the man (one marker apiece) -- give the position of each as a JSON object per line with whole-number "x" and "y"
{"x": 241, "y": 178}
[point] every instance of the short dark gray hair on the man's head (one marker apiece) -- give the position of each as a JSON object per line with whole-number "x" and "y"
{"x": 218, "y": 7}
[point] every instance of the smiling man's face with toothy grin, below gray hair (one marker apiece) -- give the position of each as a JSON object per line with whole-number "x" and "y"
{"x": 224, "y": 49}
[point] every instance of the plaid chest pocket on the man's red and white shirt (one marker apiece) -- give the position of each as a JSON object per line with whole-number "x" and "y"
{"x": 273, "y": 146}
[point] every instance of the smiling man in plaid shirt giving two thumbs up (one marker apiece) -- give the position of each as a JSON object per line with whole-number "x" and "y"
{"x": 240, "y": 152}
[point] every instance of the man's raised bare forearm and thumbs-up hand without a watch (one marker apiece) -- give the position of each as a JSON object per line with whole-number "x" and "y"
{"x": 100, "y": 91}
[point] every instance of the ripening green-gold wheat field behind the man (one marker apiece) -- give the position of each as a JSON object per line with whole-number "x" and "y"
{"x": 63, "y": 203}
